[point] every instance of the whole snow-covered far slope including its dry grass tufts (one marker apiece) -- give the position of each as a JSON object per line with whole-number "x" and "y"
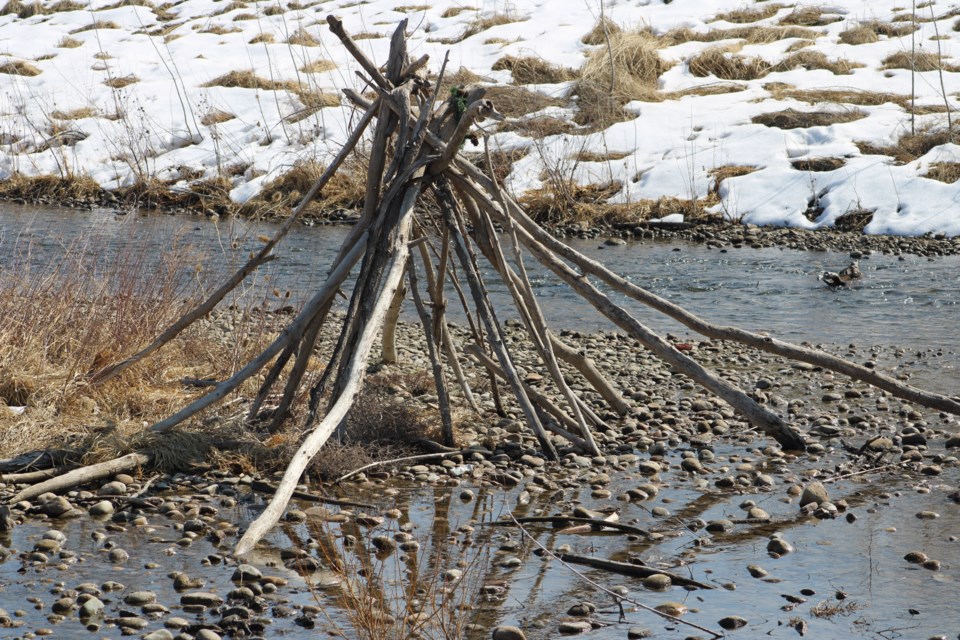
{"x": 806, "y": 109}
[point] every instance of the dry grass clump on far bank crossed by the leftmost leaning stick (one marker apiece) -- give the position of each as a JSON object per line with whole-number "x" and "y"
{"x": 345, "y": 191}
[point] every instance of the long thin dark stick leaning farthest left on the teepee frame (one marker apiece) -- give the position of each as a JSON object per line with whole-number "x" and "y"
{"x": 260, "y": 258}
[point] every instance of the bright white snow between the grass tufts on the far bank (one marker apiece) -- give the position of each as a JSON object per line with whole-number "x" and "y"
{"x": 154, "y": 127}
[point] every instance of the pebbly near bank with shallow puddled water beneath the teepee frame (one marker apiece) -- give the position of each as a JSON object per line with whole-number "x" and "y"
{"x": 698, "y": 493}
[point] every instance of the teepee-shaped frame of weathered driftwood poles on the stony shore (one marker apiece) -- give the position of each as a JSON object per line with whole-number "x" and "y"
{"x": 415, "y": 152}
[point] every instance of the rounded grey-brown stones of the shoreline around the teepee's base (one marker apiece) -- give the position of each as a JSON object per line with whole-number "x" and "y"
{"x": 675, "y": 443}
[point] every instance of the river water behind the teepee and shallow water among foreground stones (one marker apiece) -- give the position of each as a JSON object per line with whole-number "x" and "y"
{"x": 907, "y": 302}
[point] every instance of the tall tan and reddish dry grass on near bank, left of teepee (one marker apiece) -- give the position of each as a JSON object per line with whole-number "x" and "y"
{"x": 61, "y": 320}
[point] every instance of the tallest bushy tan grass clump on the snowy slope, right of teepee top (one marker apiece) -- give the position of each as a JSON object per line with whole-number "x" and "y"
{"x": 628, "y": 69}
